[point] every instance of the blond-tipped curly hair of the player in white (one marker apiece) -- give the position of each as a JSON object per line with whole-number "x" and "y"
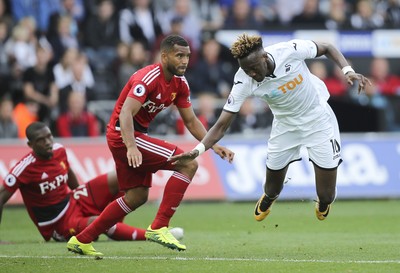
{"x": 245, "y": 45}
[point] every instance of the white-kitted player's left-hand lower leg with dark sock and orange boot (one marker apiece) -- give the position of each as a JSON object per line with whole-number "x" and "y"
{"x": 272, "y": 188}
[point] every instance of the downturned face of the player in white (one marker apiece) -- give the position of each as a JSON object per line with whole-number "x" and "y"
{"x": 255, "y": 65}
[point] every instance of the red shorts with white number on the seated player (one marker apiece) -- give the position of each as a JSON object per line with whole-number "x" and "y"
{"x": 86, "y": 201}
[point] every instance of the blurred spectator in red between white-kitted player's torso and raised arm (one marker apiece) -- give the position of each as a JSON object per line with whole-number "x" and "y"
{"x": 335, "y": 81}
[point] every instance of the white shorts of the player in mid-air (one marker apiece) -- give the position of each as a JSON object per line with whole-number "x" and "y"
{"x": 320, "y": 137}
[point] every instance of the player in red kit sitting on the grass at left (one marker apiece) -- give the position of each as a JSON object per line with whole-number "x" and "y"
{"x": 45, "y": 180}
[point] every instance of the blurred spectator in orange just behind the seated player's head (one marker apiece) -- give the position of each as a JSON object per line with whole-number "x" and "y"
{"x": 25, "y": 112}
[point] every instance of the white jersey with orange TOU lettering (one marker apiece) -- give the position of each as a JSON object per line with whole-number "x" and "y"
{"x": 294, "y": 95}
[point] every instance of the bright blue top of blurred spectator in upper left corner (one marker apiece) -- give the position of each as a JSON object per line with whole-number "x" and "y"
{"x": 40, "y": 10}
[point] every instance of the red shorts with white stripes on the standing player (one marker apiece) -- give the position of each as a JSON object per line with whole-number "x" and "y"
{"x": 155, "y": 153}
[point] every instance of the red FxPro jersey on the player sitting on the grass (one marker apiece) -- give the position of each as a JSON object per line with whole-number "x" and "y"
{"x": 43, "y": 186}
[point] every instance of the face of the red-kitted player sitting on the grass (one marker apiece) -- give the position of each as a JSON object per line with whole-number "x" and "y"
{"x": 42, "y": 144}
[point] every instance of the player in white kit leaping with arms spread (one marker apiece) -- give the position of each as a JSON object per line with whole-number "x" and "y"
{"x": 279, "y": 75}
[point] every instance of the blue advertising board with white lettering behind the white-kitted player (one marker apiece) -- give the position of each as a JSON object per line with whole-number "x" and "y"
{"x": 370, "y": 169}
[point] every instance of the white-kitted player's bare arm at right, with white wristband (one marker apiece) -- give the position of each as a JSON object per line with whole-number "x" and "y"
{"x": 335, "y": 55}
